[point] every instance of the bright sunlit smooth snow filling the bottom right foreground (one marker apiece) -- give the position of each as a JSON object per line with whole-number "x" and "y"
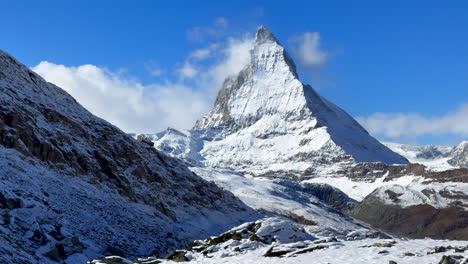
{"x": 361, "y": 251}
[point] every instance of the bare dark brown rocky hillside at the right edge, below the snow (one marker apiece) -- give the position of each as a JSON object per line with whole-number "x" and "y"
{"x": 418, "y": 221}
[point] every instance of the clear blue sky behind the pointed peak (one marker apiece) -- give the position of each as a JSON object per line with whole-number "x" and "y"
{"x": 405, "y": 59}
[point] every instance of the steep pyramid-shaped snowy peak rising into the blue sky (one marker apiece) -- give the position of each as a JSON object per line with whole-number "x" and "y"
{"x": 266, "y": 122}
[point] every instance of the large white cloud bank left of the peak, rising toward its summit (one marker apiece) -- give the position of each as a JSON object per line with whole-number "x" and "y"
{"x": 139, "y": 108}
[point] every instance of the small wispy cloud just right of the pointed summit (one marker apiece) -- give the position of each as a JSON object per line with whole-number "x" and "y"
{"x": 307, "y": 48}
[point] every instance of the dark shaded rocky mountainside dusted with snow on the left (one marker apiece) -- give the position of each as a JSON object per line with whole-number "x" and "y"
{"x": 74, "y": 187}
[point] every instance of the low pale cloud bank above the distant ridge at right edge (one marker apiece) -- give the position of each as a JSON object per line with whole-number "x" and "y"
{"x": 396, "y": 125}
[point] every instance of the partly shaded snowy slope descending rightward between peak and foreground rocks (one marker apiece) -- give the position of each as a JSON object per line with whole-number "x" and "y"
{"x": 285, "y": 198}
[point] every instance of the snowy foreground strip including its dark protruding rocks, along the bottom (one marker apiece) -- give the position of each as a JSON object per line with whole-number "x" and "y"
{"x": 424, "y": 251}
